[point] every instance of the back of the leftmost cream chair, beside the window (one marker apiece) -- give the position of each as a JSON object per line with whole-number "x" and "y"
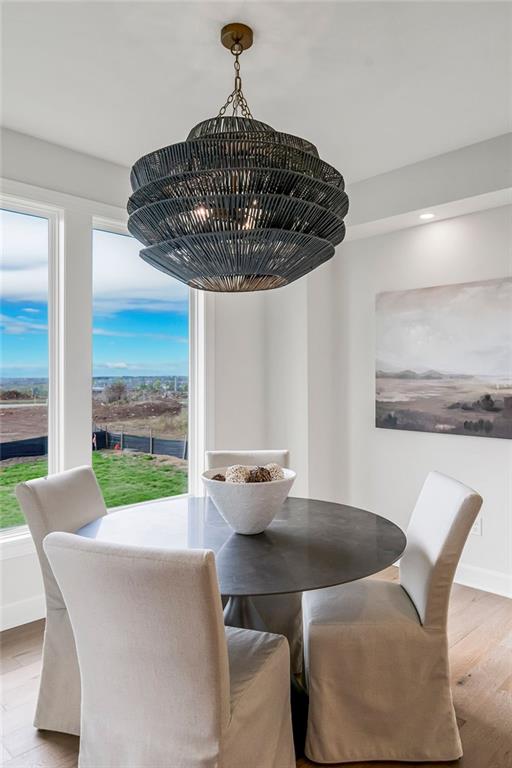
{"x": 60, "y": 502}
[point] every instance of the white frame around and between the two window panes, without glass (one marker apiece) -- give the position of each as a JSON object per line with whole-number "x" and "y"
{"x": 71, "y": 221}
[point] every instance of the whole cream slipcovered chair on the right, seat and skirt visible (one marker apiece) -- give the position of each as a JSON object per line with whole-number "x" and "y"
{"x": 376, "y": 652}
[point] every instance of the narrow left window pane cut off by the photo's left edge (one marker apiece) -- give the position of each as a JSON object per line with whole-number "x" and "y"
{"x": 24, "y": 358}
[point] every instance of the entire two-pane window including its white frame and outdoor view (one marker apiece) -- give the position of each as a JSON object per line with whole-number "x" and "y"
{"x": 141, "y": 389}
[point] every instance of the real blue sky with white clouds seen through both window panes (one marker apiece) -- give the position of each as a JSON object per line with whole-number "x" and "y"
{"x": 140, "y": 315}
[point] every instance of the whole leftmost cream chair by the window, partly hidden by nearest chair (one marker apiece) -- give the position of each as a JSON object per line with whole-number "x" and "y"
{"x": 61, "y": 502}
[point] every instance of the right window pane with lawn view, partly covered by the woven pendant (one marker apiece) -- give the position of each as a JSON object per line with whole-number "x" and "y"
{"x": 140, "y": 394}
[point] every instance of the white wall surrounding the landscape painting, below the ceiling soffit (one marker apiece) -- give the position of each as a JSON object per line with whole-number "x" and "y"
{"x": 385, "y": 468}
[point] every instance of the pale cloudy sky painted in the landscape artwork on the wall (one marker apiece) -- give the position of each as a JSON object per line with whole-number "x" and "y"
{"x": 464, "y": 329}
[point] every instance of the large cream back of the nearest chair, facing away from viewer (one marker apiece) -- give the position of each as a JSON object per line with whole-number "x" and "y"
{"x": 151, "y": 647}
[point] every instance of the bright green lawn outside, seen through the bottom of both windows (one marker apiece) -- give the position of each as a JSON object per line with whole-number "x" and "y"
{"x": 124, "y": 478}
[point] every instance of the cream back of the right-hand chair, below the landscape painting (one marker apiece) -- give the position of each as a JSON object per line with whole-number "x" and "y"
{"x": 440, "y": 524}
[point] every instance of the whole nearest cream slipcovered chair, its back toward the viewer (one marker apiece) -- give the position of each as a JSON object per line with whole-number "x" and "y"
{"x": 163, "y": 681}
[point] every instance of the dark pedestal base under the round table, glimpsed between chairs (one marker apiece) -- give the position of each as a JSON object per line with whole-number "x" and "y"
{"x": 240, "y": 611}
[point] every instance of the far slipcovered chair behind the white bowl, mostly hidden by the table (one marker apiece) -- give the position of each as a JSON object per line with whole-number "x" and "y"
{"x": 280, "y": 613}
